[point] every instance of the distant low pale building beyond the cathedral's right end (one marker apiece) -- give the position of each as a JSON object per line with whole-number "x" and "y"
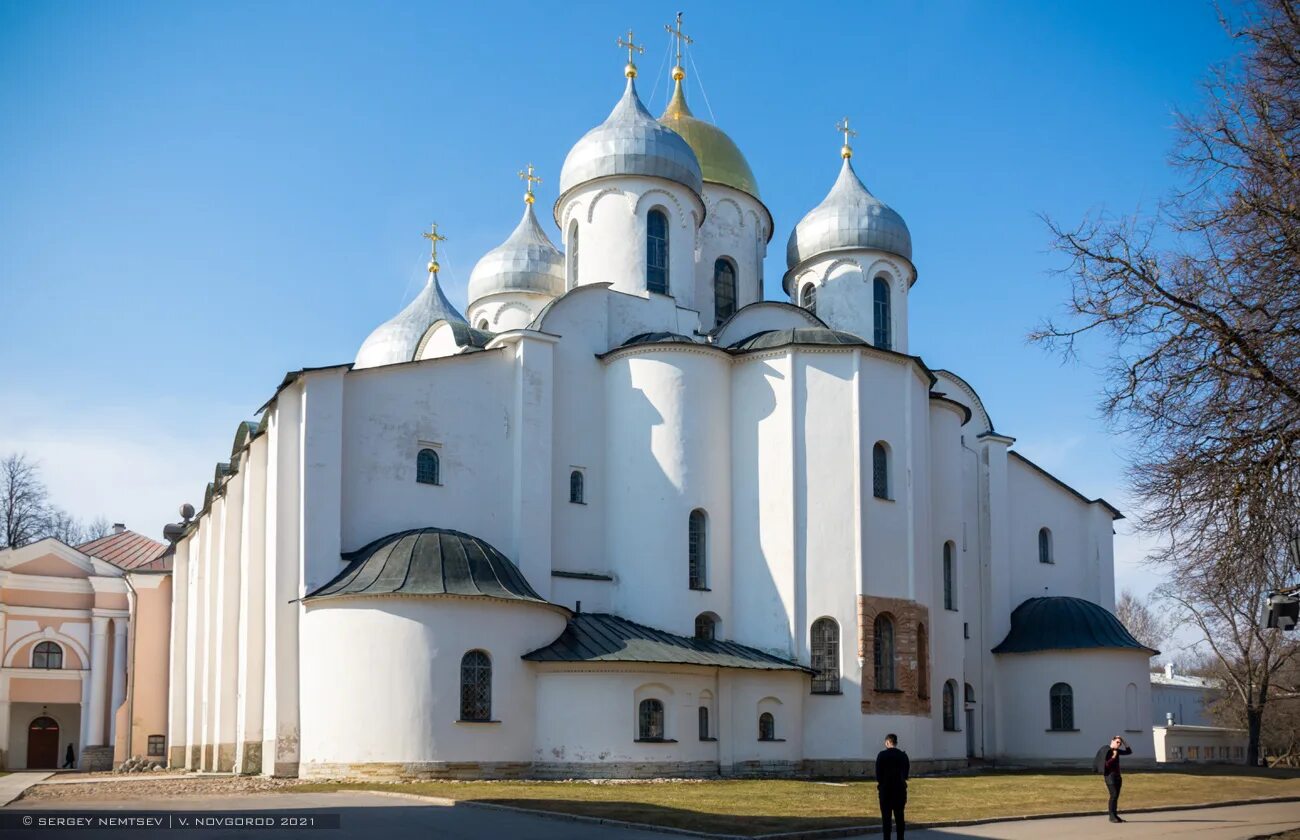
{"x": 1182, "y": 728}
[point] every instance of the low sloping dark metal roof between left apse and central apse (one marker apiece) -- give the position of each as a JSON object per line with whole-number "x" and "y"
{"x": 605, "y": 638}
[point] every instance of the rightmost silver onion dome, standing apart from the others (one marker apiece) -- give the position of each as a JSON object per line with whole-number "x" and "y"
{"x": 848, "y": 218}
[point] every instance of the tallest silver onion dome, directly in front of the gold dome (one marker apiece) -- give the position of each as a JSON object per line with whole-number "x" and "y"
{"x": 631, "y": 142}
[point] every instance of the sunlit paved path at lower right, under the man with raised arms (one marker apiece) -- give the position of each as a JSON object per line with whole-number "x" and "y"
{"x": 1211, "y": 824}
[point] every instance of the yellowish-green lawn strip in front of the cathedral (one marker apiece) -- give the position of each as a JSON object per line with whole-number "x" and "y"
{"x": 764, "y": 807}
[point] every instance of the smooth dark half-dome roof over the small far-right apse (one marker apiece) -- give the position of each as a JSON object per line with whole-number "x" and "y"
{"x": 1061, "y": 623}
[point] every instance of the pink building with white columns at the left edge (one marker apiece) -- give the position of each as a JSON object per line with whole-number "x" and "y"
{"x": 85, "y": 639}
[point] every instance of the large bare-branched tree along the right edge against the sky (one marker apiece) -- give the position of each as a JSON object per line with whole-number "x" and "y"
{"x": 1202, "y": 306}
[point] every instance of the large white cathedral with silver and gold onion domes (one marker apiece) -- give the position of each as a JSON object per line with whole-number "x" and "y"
{"x": 632, "y": 519}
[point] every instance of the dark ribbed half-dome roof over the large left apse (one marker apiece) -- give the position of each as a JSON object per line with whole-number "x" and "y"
{"x": 430, "y": 562}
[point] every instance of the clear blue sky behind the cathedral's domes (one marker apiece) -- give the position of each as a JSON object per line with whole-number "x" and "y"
{"x": 196, "y": 198}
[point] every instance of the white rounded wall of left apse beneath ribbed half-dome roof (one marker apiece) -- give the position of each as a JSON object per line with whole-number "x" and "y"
{"x": 417, "y": 716}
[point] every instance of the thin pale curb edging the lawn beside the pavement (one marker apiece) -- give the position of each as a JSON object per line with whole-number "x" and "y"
{"x": 846, "y": 832}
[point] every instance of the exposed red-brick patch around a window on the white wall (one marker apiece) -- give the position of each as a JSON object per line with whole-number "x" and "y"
{"x": 908, "y": 618}
